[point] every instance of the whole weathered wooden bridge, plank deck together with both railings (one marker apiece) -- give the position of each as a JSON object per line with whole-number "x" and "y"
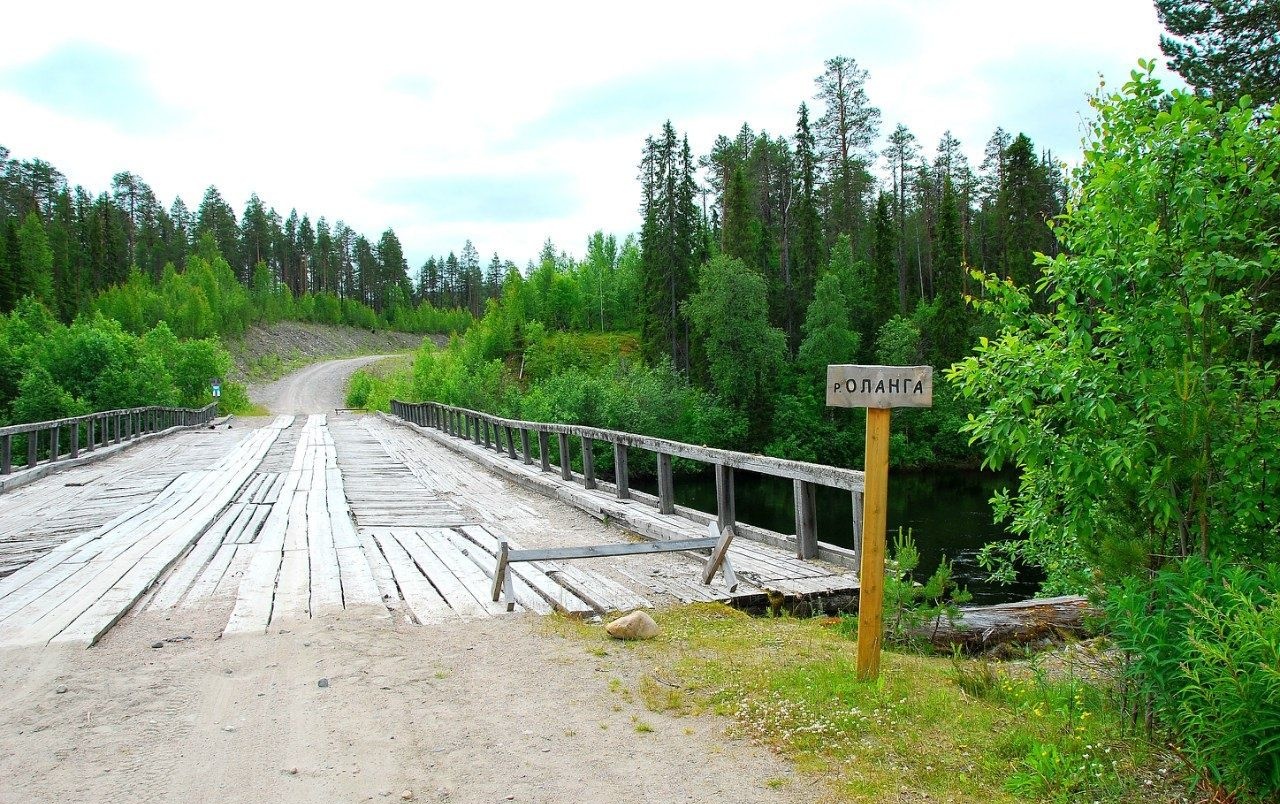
{"x": 257, "y": 523}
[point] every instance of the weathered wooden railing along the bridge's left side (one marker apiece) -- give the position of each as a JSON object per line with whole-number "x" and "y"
{"x": 66, "y": 438}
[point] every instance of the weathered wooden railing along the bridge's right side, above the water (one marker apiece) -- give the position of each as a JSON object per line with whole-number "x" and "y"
{"x": 492, "y": 431}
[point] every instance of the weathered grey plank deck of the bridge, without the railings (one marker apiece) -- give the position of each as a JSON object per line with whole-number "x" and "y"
{"x": 304, "y": 518}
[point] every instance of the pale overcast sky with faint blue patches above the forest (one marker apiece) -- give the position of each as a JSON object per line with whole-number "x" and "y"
{"x": 511, "y": 124}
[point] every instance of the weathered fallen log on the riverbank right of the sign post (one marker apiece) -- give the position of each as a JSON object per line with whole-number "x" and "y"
{"x": 982, "y": 628}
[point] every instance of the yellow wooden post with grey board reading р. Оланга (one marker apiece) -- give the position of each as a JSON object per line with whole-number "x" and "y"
{"x": 879, "y": 390}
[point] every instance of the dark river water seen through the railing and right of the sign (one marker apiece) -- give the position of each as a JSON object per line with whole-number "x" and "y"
{"x": 948, "y": 513}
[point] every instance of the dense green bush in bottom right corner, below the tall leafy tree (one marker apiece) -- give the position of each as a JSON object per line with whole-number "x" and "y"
{"x": 1204, "y": 648}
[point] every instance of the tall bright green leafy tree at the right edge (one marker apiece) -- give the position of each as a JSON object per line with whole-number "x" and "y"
{"x": 1141, "y": 406}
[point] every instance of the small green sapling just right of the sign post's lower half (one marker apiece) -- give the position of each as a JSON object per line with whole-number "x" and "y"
{"x": 912, "y": 607}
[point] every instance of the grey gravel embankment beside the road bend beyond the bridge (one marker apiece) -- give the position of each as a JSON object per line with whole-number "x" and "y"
{"x": 269, "y": 353}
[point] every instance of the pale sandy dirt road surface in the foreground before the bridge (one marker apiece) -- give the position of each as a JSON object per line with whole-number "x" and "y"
{"x": 482, "y": 711}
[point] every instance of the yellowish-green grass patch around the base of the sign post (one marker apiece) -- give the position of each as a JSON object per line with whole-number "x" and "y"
{"x": 958, "y": 730}
